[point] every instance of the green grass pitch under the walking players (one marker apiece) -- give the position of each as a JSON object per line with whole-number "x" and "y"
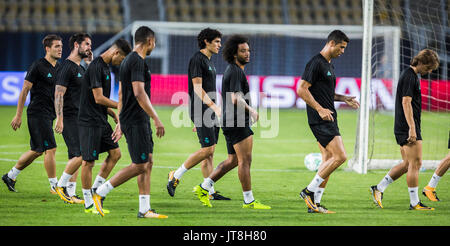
{"x": 278, "y": 175}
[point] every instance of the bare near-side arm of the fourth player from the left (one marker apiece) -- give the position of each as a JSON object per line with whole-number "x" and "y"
{"x": 146, "y": 105}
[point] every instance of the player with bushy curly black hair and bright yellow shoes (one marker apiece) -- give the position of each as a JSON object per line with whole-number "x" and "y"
{"x": 238, "y": 116}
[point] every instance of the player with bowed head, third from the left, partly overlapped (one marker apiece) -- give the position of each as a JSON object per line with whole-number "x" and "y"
{"x": 94, "y": 130}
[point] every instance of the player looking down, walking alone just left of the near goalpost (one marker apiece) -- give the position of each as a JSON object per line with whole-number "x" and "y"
{"x": 317, "y": 90}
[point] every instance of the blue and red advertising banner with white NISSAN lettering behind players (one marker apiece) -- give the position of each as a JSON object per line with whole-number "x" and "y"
{"x": 265, "y": 91}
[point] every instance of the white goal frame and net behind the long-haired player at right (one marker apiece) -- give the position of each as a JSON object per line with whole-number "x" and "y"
{"x": 422, "y": 24}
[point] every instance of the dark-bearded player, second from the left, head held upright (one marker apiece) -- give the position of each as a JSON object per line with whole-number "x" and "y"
{"x": 67, "y": 103}
